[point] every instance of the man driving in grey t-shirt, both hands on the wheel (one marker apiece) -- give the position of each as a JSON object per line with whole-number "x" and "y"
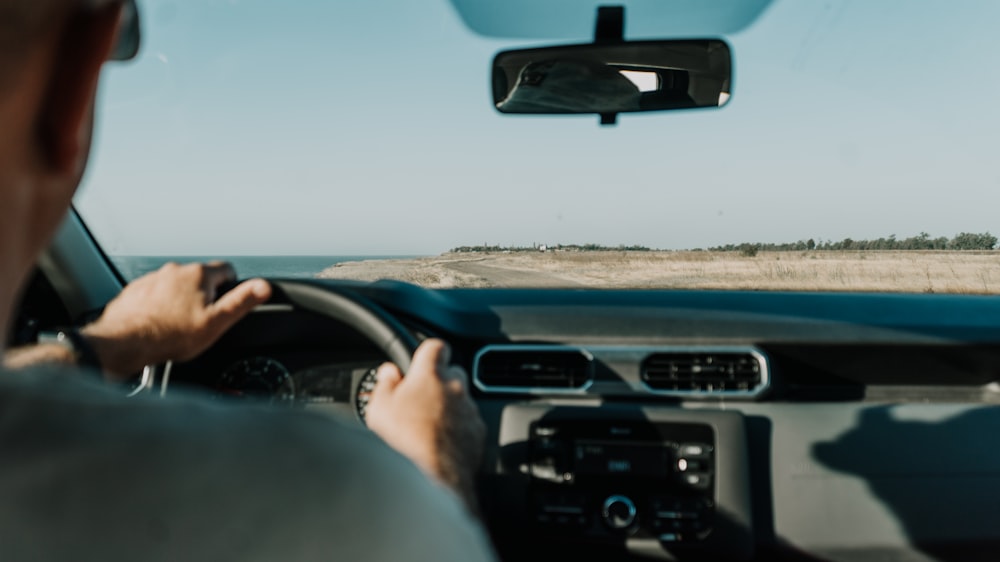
{"x": 88, "y": 474}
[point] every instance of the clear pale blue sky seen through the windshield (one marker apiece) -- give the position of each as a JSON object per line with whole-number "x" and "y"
{"x": 367, "y": 128}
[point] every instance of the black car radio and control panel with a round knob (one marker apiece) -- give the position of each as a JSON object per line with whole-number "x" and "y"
{"x": 619, "y": 479}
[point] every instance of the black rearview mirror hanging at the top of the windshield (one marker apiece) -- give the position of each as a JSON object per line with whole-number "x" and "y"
{"x": 612, "y": 78}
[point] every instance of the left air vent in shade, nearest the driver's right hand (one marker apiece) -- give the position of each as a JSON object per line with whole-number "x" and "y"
{"x": 533, "y": 369}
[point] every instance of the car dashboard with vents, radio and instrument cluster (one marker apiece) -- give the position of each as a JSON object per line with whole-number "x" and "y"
{"x": 685, "y": 425}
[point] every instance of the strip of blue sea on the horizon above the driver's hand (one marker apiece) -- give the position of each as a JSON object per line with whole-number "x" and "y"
{"x": 246, "y": 266}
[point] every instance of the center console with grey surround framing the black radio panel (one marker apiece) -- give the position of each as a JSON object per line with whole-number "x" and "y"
{"x": 657, "y": 482}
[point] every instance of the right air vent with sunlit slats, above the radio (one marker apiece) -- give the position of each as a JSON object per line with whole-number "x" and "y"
{"x": 706, "y": 372}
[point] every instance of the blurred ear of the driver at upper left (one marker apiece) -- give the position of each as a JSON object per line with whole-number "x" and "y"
{"x": 65, "y": 125}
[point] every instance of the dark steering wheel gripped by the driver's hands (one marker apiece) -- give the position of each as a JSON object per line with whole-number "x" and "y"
{"x": 338, "y": 303}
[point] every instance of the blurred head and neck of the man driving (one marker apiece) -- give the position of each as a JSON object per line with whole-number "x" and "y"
{"x": 51, "y": 53}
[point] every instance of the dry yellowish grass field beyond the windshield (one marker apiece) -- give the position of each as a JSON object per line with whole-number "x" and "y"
{"x": 881, "y": 271}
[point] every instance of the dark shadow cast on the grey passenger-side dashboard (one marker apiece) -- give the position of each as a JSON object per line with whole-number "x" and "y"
{"x": 940, "y": 477}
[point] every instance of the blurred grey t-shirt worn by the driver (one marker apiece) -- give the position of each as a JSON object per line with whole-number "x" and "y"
{"x": 87, "y": 474}
